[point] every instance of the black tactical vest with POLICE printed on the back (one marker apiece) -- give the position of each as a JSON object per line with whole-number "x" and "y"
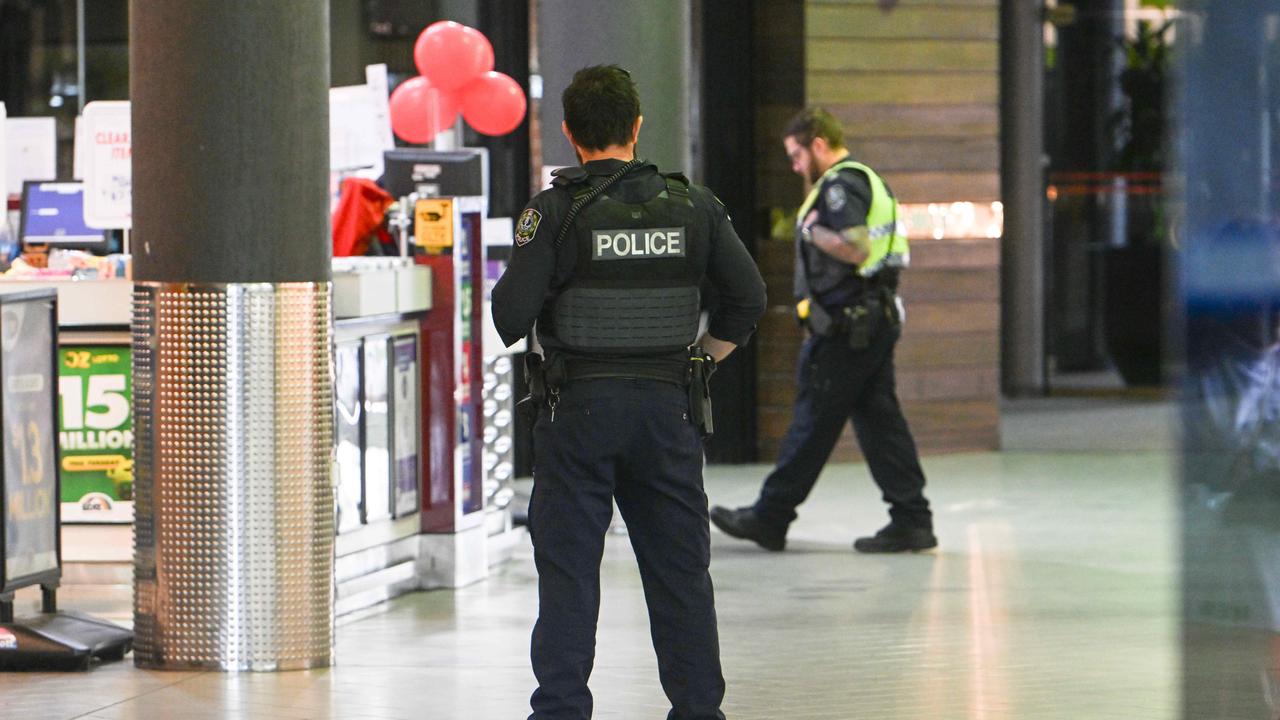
{"x": 634, "y": 290}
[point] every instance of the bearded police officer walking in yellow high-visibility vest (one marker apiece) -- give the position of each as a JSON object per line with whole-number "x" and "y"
{"x": 849, "y": 252}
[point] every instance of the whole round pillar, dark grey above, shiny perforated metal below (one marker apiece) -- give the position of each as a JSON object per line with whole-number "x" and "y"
{"x": 234, "y": 399}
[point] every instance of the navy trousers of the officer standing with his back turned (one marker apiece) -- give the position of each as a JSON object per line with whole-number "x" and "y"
{"x": 632, "y": 441}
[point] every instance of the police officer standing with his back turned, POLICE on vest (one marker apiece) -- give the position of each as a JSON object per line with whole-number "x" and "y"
{"x": 610, "y": 263}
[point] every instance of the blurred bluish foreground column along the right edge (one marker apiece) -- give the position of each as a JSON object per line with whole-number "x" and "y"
{"x": 1229, "y": 295}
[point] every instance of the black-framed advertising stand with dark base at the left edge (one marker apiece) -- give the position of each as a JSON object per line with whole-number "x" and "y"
{"x": 30, "y": 527}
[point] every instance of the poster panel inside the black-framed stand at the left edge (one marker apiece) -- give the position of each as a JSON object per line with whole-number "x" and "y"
{"x": 30, "y": 475}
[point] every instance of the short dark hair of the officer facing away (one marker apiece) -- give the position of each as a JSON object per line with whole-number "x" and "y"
{"x": 601, "y": 107}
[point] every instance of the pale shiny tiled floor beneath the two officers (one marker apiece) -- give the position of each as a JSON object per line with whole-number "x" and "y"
{"x": 1053, "y": 598}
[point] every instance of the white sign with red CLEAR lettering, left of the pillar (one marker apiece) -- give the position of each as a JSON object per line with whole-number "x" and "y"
{"x": 108, "y": 160}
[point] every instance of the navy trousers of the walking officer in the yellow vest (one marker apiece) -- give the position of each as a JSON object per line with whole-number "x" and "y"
{"x": 838, "y": 385}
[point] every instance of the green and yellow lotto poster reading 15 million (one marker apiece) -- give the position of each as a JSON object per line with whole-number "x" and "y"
{"x": 97, "y": 434}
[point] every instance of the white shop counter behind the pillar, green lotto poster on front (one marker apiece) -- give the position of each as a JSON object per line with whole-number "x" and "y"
{"x": 385, "y": 315}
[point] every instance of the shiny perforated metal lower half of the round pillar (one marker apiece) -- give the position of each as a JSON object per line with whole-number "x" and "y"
{"x": 234, "y": 427}
